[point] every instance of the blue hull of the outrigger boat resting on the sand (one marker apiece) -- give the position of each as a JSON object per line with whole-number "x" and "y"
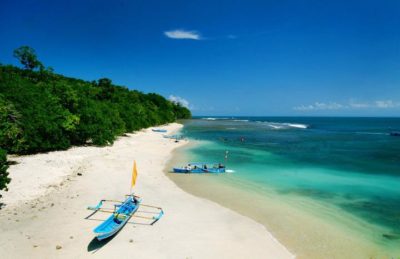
{"x": 117, "y": 220}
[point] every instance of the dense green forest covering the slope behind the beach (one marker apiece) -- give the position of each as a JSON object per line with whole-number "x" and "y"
{"x": 42, "y": 111}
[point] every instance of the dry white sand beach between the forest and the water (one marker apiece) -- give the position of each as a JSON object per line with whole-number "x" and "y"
{"x": 44, "y": 211}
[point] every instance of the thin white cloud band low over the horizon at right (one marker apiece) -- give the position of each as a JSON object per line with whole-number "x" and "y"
{"x": 381, "y": 104}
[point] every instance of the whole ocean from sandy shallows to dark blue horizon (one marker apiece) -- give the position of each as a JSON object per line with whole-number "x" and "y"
{"x": 325, "y": 187}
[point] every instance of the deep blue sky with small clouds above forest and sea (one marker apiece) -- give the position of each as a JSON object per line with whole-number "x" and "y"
{"x": 223, "y": 57}
